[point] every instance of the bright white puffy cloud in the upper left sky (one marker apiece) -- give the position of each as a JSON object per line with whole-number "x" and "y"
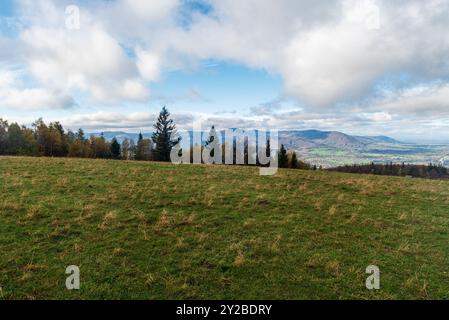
{"x": 91, "y": 61}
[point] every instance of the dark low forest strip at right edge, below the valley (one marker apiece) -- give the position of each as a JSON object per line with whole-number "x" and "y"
{"x": 430, "y": 171}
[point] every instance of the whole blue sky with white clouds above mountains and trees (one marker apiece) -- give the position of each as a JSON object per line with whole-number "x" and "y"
{"x": 365, "y": 67}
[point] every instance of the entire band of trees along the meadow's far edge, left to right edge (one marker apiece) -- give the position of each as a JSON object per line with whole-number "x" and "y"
{"x": 52, "y": 140}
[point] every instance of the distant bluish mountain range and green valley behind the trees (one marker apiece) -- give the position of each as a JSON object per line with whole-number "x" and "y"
{"x": 333, "y": 148}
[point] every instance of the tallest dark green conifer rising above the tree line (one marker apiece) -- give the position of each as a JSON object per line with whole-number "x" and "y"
{"x": 162, "y": 137}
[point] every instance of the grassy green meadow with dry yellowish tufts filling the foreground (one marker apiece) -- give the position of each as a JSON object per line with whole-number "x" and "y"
{"x": 160, "y": 231}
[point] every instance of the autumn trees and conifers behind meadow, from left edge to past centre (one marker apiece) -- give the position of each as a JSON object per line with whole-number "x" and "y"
{"x": 52, "y": 140}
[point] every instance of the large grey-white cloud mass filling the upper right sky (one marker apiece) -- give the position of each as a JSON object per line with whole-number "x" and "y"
{"x": 328, "y": 58}
